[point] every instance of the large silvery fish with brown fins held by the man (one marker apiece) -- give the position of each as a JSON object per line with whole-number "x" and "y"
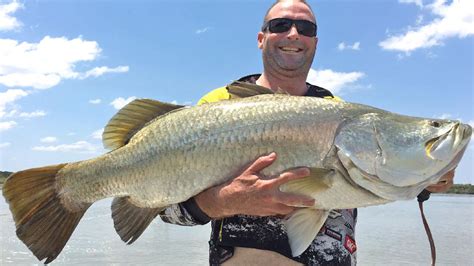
{"x": 164, "y": 154}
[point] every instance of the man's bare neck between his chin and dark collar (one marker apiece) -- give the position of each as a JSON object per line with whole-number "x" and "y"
{"x": 293, "y": 86}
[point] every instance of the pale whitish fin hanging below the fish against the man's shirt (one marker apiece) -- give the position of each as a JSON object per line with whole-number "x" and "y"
{"x": 302, "y": 227}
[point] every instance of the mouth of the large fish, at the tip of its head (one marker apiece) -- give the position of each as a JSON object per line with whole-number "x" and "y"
{"x": 449, "y": 142}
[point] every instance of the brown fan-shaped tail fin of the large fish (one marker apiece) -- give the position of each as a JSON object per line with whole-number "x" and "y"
{"x": 42, "y": 221}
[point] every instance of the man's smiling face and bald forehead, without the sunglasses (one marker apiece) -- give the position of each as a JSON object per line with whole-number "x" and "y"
{"x": 288, "y": 53}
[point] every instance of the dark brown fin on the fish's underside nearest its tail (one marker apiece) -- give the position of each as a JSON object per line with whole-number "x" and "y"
{"x": 130, "y": 221}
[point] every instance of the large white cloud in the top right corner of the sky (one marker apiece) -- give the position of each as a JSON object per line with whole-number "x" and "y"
{"x": 453, "y": 20}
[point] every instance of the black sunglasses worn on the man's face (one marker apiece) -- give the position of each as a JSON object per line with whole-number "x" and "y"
{"x": 279, "y": 25}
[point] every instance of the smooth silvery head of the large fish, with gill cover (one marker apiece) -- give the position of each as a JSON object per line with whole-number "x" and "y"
{"x": 399, "y": 150}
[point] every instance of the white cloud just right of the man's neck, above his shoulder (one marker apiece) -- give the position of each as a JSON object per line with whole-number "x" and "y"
{"x": 334, "y": 81}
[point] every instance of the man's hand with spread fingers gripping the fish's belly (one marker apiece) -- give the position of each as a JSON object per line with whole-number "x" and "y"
{"x": 251, "y": 193}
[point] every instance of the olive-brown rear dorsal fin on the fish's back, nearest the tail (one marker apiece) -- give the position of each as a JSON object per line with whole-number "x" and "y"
{"x": 131, "y": 118}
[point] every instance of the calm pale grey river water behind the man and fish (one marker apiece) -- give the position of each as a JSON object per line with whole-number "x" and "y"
{"x": 390, "y": 234}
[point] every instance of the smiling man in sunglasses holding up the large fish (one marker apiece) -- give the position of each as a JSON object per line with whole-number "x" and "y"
{"x": 247, "y": 211}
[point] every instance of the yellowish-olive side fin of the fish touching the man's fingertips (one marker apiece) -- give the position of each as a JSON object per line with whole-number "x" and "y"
{"x": 319, "y": 179}
